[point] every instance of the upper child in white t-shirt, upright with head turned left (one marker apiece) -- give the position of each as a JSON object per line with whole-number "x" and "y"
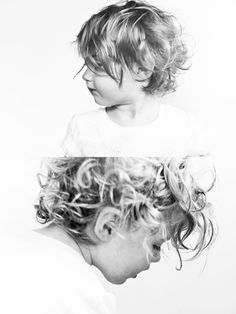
{"x": 133, "y": 52}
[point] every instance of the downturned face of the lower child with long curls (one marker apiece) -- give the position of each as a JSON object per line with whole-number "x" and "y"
{"x": 128, "y": 253}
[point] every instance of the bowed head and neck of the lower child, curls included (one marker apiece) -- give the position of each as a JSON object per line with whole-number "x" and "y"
{"x": 118, "y": 212}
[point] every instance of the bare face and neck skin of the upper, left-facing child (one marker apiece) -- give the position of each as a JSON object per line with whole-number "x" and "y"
{"x": 127, "y": 104}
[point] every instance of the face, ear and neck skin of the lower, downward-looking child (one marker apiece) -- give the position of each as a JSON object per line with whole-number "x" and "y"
{"x": 118, "y": 253}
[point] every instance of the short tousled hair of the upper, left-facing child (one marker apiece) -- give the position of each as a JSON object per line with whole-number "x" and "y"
{"x": 135, "y": 34}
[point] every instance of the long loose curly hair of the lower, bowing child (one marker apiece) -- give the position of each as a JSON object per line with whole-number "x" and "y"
{"x": 149, "y": 192}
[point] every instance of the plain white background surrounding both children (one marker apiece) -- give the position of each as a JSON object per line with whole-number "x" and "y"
{"x": 38, "y": 97}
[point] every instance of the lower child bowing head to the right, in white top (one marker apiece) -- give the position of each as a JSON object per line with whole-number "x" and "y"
{"x": 112, "y": 213}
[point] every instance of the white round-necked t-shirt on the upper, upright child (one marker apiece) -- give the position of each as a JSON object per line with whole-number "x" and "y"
{"x": 173, "y": 133}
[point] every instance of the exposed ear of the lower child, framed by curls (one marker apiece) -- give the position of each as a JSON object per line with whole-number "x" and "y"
{"x": 106, "y": 223}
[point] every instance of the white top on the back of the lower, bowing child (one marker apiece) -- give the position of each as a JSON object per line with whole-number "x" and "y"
{"x": 41, "y": 275}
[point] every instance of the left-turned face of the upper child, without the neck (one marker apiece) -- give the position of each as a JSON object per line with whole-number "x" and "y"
{"x": 107, "y": 92}
